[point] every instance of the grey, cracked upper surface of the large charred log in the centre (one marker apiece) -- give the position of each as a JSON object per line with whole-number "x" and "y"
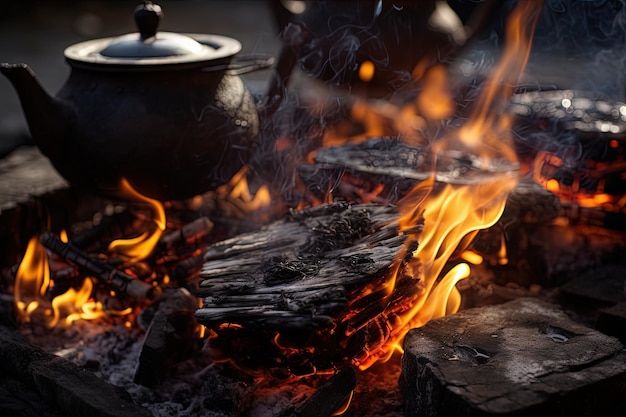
{"x": 283, "y": 275}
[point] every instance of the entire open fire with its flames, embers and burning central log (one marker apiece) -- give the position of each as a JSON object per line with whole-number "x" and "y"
{"x": 339, "y": 324}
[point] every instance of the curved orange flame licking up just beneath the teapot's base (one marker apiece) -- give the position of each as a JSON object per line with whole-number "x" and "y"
{"x": 140, "y": 247}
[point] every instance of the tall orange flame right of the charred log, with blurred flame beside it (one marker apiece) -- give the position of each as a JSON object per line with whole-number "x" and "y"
{"x": 463, "y": 204}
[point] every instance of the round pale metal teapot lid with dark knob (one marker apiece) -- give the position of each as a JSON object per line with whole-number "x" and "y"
{"x": 149, "y": 49}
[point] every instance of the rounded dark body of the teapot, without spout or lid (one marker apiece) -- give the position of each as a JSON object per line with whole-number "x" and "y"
{"x": 171, "y": 134}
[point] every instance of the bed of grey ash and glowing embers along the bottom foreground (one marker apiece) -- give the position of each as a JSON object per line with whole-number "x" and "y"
{"x": 201, "y": 388}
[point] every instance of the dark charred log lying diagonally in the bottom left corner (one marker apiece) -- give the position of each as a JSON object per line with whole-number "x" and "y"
{"x": 72, "y": 390}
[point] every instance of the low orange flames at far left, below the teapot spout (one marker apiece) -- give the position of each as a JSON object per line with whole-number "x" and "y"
{"x": 32, "y": 282}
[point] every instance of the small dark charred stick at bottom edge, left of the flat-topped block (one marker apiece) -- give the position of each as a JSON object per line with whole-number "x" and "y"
{"x": 330, "y": 396}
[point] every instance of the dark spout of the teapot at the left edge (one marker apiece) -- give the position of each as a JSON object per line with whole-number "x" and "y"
{"x": 48, "y": 118}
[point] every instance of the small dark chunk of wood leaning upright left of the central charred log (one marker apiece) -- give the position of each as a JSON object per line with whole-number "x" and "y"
{"x": 171, "y": 337}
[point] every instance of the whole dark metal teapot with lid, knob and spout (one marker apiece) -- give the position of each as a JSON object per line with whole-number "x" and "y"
{"x": 162, "y": 110}
